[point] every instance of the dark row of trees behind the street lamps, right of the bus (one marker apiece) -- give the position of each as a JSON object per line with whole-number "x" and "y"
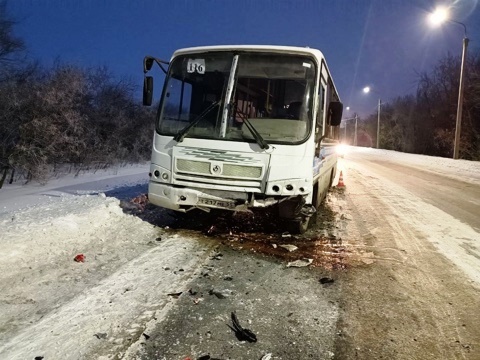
{"x": 424, "y": 122}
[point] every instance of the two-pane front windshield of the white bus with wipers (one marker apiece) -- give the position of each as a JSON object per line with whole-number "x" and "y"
{"x": 268, "y": 94}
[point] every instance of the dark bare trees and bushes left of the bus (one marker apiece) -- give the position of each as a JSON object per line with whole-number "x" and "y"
{"x": 64, "y": 114}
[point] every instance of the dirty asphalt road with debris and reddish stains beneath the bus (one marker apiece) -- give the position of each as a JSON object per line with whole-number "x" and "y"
{"x": 395, "y": 275}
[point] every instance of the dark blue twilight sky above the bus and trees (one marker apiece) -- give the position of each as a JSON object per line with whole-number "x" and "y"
{"x": 381, "y": 43}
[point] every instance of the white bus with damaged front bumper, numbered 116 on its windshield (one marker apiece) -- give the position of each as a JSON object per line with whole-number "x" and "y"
{"x": 240, "y": 127}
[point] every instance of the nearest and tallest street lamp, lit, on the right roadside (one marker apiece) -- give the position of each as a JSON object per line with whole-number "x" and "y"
{"x": 439, "y": 16}
